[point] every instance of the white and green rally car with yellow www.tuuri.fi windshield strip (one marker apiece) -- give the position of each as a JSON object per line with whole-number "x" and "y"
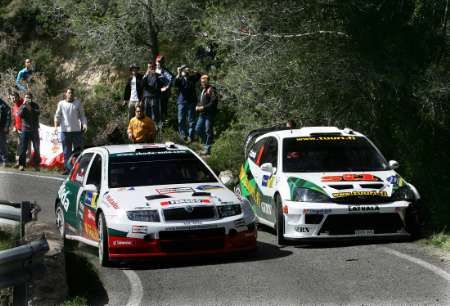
{"x": 323, "y": 182}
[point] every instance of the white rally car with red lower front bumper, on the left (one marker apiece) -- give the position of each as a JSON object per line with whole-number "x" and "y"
{"x": 143, "y": 201}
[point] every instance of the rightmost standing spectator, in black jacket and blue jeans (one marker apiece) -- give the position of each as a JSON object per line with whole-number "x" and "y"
{"x": 206, "y": 109}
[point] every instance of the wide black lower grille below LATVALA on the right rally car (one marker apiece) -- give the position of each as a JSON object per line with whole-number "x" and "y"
{"x": 347, "y": 224}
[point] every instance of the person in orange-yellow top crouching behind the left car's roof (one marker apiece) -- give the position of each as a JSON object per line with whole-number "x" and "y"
{"x": 141, "y": 128}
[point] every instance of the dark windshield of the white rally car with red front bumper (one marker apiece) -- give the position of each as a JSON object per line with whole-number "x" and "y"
{"x": 156, "y": 168}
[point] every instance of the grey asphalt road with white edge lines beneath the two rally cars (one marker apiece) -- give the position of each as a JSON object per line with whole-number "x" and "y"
{"x": 350, "y": 274}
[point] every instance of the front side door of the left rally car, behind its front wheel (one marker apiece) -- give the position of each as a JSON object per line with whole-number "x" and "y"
{"x": 87, "y": 203}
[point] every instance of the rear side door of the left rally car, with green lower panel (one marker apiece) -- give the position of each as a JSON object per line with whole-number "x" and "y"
{"x": 70, "y": 191}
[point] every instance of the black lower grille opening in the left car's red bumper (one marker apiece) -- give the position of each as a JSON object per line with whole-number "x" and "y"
{"x": 193, "y": 240}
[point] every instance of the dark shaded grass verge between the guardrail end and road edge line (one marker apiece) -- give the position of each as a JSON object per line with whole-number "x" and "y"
{"x": 85, "y": 288}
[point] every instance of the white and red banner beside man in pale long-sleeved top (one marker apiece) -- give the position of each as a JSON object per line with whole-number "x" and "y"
{"x": 51, "y": 148}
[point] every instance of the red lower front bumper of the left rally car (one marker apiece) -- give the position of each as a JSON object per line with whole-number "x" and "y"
{"x": 127, "y": 248}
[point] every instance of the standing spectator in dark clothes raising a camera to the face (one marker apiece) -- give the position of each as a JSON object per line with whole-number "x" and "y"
{"x": 185, "y": 83}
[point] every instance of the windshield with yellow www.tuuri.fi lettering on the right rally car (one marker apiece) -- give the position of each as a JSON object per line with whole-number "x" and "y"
{"x": 331, "y": 154}
